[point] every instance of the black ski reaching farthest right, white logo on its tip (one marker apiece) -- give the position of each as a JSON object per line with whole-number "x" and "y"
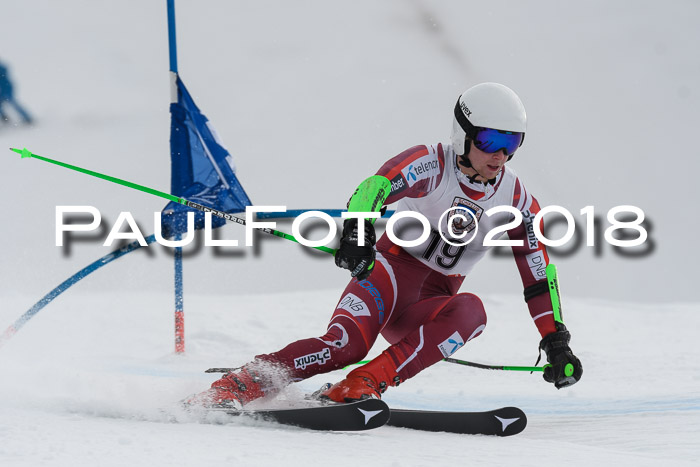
{"x": 505, "y": 421}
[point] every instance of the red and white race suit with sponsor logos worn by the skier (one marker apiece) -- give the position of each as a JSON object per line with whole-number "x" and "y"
{"x": 412, "y": 297}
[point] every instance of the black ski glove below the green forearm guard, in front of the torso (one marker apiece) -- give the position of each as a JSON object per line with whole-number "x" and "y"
{"x": 358, "y": 259}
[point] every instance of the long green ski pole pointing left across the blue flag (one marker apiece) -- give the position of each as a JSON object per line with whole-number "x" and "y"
{"x": 25, "y": 153}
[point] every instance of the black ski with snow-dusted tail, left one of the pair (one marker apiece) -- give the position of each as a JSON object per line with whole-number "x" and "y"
{"x": 353, "y": 416}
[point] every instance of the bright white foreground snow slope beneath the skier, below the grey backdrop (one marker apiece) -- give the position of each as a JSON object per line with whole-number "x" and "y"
{"x": 94, "y": 382}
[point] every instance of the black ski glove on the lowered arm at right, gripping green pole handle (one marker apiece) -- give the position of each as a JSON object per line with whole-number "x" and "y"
{"x": 564, "y": 369}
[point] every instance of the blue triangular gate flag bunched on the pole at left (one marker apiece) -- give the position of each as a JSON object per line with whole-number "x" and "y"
{"x": 202, "y": 170}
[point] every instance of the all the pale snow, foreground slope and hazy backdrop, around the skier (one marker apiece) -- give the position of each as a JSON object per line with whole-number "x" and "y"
{"x": 311, "y": 97}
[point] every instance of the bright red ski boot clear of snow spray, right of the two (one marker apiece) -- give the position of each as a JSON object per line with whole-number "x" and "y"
{"x": 365, "y": 382}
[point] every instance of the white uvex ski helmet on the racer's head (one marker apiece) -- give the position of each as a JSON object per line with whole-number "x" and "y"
{"x": 486, "y": 105}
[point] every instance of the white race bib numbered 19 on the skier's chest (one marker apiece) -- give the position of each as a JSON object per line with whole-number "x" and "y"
{"x": 435, "y": 252}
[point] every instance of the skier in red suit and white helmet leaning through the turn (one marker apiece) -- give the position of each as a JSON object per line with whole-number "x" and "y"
{"x": 410, "y": 294}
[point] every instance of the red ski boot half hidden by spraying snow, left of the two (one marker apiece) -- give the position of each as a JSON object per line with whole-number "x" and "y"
{"x": 233, "y": 390}
